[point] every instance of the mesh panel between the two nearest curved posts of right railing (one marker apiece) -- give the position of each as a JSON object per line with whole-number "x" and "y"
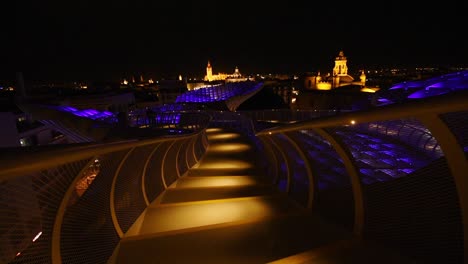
{"x": 410, "y": 197}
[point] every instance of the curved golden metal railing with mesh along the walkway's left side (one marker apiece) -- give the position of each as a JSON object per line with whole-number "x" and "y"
{"x": 73, "y": 203}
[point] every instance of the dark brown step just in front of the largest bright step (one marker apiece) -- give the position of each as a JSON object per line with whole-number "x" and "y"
{"x": 247, "y": 242}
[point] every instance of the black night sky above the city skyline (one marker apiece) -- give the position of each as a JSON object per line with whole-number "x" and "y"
{"x": 83, "y": 39}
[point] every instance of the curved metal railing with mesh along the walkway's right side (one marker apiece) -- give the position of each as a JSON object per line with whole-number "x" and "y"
{"x": 396, "y": 174}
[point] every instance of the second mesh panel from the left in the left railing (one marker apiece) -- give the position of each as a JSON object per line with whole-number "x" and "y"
{"x": 88, "y": 234}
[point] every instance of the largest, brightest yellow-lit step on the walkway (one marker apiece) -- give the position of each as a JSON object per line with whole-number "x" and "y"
{"x": 168, "y": 217}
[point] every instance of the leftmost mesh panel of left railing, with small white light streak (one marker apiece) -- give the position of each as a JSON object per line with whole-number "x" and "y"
{"x": 29, "y": 205}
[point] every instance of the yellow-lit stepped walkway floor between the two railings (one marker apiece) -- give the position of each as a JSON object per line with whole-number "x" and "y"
{"x": 221, "y": 211}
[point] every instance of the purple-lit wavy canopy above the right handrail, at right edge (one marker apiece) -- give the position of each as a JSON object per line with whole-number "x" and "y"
{"x": 410, "y": 90}
